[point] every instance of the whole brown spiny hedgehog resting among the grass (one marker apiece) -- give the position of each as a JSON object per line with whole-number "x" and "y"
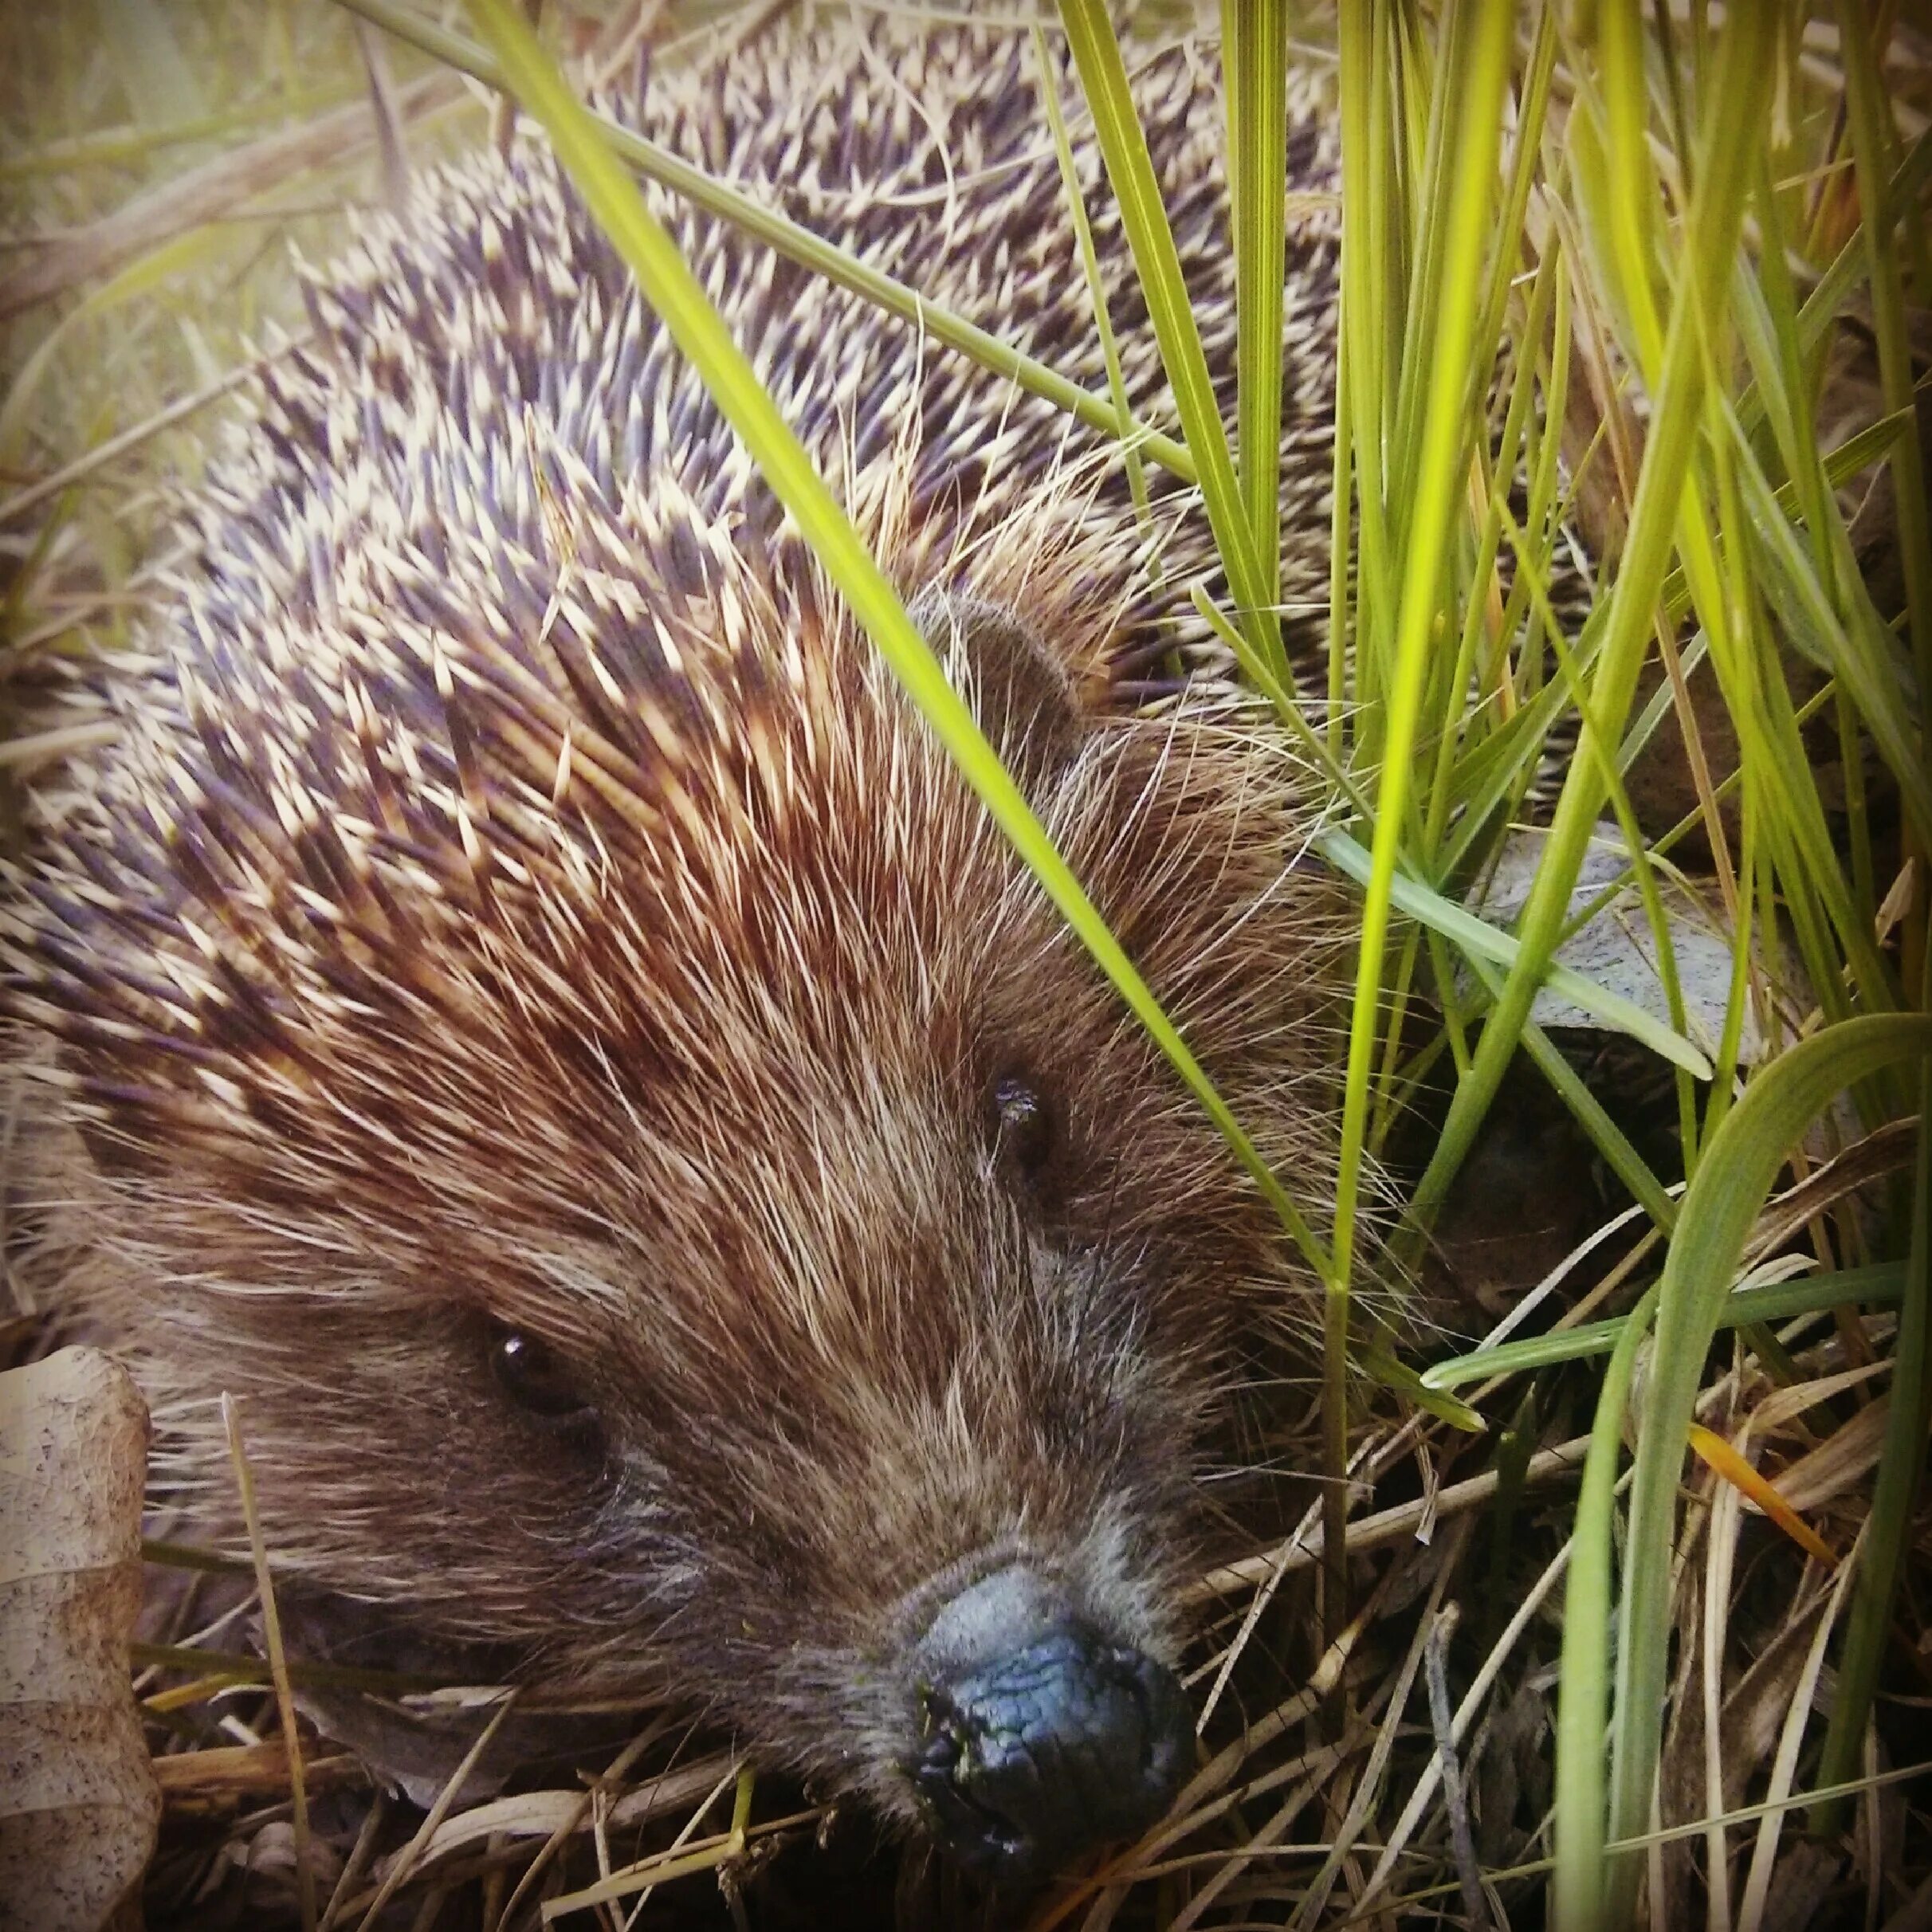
{"x": 521, "y": 1000}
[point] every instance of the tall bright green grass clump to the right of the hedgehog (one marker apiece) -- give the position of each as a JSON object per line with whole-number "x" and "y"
{"x": 1661, "y": 185}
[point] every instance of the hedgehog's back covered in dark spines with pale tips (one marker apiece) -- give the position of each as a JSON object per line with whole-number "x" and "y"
{"x": 486, "y": 594}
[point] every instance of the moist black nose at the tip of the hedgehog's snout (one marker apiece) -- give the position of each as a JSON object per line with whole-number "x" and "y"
{"x": 1050, "y": 1746}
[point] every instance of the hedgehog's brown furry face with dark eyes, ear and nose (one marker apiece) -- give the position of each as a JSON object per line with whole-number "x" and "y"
{"x": 756, "y": 1261}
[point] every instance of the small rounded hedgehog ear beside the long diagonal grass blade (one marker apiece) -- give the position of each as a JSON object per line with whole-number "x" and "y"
{"x": 1015, "y": 683}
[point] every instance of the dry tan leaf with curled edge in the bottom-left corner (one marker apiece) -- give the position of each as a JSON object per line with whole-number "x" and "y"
{"x": 78, "y": 1796}
